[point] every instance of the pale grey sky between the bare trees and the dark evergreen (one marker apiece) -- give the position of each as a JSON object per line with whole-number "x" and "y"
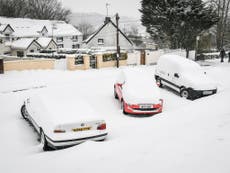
{"x": 123, "y": 7}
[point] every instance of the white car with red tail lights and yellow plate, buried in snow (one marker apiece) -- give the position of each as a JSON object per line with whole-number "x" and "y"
{"x": 62, "y": 122}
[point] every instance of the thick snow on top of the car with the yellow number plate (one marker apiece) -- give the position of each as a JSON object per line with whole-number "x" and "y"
{"x": 63, "y": 108}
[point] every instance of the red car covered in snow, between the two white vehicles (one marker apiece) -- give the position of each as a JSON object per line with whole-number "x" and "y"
{"x": 137, "y": 92}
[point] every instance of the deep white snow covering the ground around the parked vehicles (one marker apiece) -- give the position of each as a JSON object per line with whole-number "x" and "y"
{"x": 189, "y": 136}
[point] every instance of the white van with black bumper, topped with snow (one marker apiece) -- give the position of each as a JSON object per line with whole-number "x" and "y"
{"x": 184, "y": 76}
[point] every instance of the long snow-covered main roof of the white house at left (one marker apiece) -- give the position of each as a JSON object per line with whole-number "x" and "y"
{"x": 25, "y": 27}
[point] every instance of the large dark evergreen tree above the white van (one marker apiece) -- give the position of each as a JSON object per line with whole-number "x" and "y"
{"x": 177, "y": 22}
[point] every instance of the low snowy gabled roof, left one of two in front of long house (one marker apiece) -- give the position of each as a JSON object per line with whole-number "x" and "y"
{"x": 23, "y": 43}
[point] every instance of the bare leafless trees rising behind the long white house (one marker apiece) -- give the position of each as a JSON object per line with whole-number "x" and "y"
{"x": 36, "y": 9}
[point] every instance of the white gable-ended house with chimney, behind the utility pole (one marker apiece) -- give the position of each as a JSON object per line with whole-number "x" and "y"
{"x": 106, "y": 37}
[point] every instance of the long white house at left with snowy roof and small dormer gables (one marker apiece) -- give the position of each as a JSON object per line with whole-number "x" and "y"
{"x": 64, "y": 34}
